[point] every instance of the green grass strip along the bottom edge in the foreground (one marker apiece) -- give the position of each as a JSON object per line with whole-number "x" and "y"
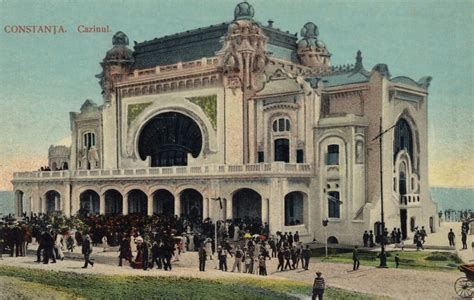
{"x": 145, "y": 287}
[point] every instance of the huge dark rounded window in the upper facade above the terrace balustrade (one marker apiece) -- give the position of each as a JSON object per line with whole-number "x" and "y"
{"x": 168, "y": 138}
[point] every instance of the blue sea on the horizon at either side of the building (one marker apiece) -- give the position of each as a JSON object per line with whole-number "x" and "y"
{"x": 447, "y": 198}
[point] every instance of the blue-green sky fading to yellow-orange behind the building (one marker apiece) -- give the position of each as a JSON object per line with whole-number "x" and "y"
{"x": 43, "y": 77}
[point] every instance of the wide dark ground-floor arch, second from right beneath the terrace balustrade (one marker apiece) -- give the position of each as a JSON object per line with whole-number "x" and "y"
{"x": 246, "y": 205}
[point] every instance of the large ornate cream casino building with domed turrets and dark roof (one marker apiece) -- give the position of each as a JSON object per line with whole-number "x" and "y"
{"x": 241, "y": 119}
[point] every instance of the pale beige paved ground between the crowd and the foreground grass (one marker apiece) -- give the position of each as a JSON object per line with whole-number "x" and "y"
{"x": 393, "y": 283}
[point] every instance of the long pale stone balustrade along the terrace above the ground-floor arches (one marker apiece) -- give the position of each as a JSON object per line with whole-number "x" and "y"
{"x": 250, "y": 170}
